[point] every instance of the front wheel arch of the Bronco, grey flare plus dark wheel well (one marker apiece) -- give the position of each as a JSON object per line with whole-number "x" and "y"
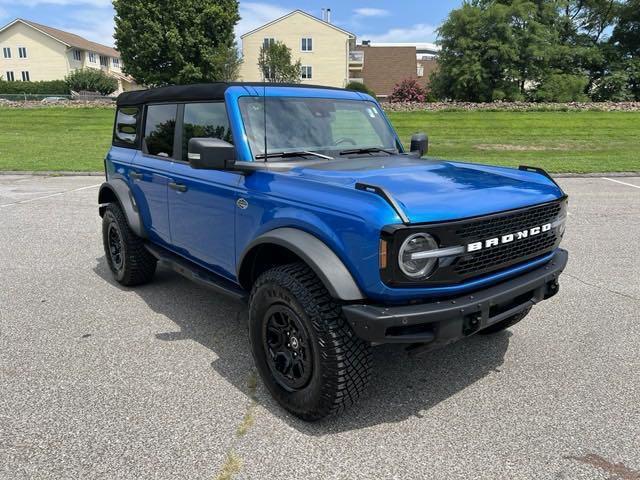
{"x": 288, "y": 245}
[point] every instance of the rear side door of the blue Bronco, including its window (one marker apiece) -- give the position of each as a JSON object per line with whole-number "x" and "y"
{"x": 149, "y": 176}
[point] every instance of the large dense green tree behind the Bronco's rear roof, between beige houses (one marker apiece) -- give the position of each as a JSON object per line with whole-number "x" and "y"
{"x": 170, "y": 42}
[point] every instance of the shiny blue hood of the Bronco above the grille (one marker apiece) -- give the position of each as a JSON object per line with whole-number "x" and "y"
{"x": 432, "y": 191}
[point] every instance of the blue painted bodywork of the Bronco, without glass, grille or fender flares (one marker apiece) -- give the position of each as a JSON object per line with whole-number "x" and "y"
{"x": 205, "y": 226}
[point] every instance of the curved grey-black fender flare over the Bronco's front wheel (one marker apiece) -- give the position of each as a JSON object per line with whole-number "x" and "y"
{"x": 314, "y": 252}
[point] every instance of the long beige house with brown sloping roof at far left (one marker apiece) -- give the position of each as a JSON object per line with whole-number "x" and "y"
{"x": 32, "y": 52}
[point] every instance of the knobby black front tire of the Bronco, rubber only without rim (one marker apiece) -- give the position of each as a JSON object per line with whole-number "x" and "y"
{"x": 341, "y": 361}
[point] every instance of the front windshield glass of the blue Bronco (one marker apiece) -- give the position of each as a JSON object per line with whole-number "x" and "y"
{"x": 319, "y": 125}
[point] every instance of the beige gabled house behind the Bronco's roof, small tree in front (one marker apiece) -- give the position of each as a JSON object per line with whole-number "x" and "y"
{"x": 323, "y": 48}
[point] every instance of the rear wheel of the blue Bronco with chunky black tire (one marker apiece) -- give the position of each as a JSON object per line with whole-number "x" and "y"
{"x": 136, "y": 265}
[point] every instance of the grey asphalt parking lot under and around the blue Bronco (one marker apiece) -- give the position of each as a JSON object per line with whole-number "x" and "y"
{"x": 100, "y": 381}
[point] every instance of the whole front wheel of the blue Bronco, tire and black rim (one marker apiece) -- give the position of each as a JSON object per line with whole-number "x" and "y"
{"x": 305, "y": 351}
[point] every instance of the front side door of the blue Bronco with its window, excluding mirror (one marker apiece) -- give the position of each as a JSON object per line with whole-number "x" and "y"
{"x": 202, "y": 203}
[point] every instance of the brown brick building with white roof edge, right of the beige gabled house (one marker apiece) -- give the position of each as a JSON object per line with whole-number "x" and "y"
{"x": 386, "y": 64}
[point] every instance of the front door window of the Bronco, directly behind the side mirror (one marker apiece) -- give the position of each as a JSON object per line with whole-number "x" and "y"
{"x": 204, "y": 120}
